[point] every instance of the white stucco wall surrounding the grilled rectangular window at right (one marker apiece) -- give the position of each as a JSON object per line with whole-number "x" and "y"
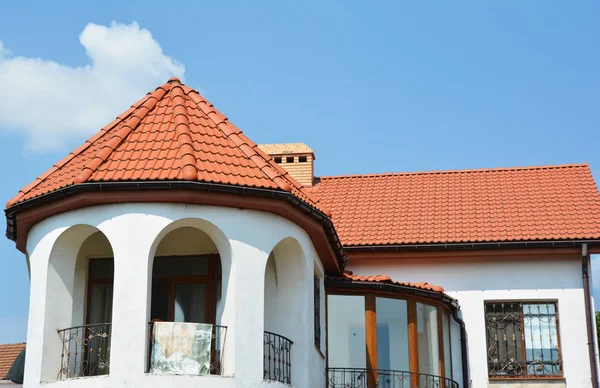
{"x": 475, "y": 280}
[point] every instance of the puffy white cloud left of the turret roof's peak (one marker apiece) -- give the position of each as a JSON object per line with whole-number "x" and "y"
{"x": 50, "y": 103}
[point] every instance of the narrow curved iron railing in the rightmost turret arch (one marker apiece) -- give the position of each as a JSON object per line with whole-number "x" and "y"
{"x": 277, "y": 358}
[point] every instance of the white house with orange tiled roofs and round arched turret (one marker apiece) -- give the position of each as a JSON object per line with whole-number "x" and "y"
{"x": 171, "y": 250}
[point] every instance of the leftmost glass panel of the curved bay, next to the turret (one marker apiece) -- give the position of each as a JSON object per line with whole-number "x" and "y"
{"x": 346, "y": 338}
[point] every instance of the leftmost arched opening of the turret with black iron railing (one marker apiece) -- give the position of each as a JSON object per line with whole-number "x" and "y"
{"x": 79, "y": 298}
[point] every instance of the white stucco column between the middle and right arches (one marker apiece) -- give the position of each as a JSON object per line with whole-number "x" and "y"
{"x": 248, "y": 270}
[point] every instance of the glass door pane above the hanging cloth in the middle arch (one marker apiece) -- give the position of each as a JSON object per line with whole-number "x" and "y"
{"x": 190, "y": 302}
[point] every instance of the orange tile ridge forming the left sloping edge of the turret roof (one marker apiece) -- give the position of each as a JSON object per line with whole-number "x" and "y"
{"x": 79, "y": 150}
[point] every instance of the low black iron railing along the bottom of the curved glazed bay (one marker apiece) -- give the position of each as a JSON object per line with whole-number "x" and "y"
{"x": 379, "y": 378}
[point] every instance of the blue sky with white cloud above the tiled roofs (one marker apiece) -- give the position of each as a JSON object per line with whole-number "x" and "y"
{"x": 371, "y": 86}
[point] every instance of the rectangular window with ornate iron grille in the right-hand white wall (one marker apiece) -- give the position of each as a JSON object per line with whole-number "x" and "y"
{"x": 522, "y": 339}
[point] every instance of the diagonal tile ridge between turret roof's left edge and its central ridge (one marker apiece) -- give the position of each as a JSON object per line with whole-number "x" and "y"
{"x": 127, "y": 127}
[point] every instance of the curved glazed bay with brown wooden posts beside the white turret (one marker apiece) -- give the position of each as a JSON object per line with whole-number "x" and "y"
{"x": 380, "y": 341}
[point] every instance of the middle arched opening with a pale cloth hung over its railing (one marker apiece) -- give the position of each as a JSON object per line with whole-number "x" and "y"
{"x": 186, "y": 304}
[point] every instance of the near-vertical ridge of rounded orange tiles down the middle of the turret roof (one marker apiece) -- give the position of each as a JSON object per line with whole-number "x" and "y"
{"x": 185, "y": 147}
